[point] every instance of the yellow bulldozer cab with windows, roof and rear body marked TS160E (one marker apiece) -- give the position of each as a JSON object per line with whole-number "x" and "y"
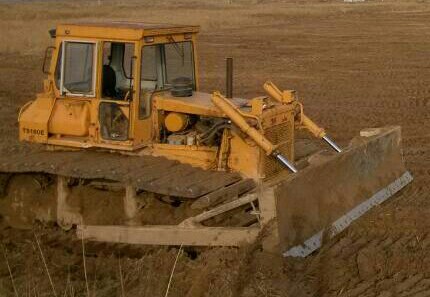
{"x": 102, "y": 79}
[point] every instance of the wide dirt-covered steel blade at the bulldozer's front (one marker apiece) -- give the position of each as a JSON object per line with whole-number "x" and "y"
{"x": 334, "y": 190}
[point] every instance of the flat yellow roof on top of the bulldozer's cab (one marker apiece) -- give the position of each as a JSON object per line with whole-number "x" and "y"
{"x": 121, "y": 29}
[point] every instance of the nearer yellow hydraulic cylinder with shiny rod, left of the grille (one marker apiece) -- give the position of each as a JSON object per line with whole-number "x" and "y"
{"x": 230, "y": 111}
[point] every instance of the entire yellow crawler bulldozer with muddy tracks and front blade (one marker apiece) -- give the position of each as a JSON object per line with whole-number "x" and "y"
{"x": 132, "y": 152}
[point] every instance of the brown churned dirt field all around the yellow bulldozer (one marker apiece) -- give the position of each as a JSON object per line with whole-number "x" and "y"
{"x": 354, "y": 66}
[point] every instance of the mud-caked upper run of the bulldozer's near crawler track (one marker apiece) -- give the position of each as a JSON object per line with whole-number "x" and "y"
{"x": 152, "y": 174}
